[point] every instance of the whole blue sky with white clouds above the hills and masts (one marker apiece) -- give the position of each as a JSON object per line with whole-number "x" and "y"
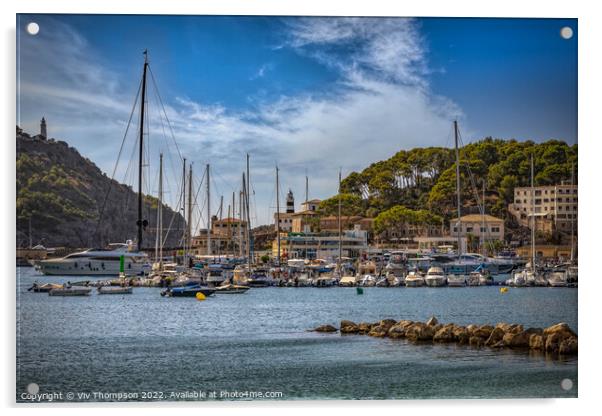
{"x": 311, "y": 94}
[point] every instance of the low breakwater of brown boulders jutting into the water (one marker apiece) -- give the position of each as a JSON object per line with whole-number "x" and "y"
{"x": 557, "y": 339}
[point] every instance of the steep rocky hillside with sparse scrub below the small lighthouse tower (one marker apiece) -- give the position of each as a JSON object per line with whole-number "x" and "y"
{"x": 61, "y": 194}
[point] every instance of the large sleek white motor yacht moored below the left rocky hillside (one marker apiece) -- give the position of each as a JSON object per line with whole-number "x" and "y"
{"x": 98, "y": 262}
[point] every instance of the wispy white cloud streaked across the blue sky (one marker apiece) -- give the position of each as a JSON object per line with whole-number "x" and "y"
{"x": 381, "y": 103}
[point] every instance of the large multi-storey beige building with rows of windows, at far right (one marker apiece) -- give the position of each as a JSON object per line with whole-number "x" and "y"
{"x": 554, "y": 207}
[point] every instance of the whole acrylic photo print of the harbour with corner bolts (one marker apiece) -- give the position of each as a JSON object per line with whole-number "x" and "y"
{"x": 282, "y": 208}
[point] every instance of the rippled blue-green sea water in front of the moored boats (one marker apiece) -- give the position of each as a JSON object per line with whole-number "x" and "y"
{"x": 258, "y": 342}
